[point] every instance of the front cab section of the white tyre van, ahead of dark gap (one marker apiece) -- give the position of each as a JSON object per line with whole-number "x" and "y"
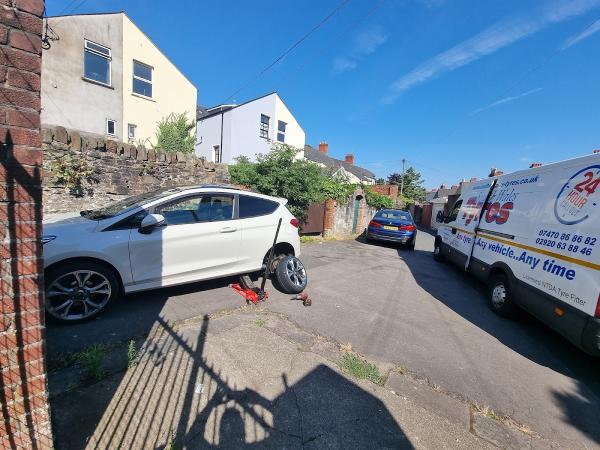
{"x": 458, "y": 230}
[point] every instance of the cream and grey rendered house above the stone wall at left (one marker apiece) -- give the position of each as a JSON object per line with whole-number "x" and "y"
{"x": 101, "y": 74}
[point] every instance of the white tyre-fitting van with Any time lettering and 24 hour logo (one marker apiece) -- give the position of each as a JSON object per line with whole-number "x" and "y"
{"x": 534, "y": 237}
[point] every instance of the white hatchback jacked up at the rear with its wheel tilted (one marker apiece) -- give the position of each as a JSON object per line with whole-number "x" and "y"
{"x": 164, "y": 238}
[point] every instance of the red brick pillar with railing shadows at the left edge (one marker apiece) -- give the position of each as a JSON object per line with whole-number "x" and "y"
{"x": 24, "y": 411}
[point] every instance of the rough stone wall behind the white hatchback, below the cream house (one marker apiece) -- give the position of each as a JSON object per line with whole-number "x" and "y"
{"x": 112, "y": 170}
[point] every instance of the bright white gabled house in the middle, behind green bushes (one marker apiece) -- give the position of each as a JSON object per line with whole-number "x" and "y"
{"x": 225, "y": 132}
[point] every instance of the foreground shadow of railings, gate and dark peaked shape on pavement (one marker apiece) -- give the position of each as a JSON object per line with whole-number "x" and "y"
{"x": 176, "y": 396}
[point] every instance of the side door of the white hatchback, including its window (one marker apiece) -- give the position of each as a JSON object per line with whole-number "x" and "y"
{"x": 200, "y": 240}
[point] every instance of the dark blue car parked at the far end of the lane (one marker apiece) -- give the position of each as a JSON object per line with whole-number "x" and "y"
{"x": 393, "y": 225}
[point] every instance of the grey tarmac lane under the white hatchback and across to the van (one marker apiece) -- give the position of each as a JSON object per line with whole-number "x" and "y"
{"x": 401, "y": 307}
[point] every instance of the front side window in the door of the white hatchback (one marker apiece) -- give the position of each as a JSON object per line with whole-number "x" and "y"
{"x": 203, "y": 208}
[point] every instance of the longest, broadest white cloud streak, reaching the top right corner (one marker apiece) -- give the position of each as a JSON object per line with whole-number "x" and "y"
{"x": 487, "y": 42}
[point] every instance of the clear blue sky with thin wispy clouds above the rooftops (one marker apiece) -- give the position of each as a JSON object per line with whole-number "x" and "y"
{"x": 454, "y": 87}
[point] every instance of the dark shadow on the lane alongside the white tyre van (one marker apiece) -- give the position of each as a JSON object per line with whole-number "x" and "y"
{"x": 526, "y": 336}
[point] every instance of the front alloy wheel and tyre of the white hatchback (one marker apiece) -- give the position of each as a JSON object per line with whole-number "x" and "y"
{"x": 78, "y": 291}
